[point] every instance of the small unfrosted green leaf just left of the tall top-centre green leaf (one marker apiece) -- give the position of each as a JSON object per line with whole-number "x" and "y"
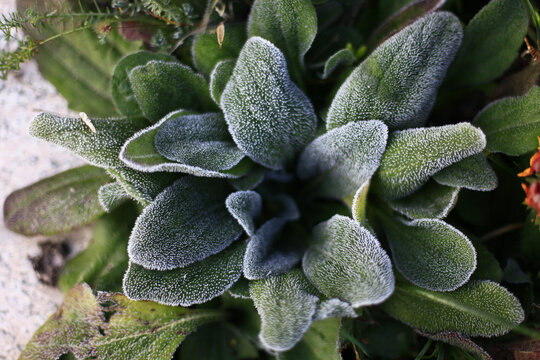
{"x": 207, "y": 52}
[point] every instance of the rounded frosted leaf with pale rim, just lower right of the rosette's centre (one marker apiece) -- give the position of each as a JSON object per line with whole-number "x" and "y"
{"x": 347, "y": 262}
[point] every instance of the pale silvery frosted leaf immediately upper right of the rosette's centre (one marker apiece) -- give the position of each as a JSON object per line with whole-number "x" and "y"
{"x": 344, "y": 158}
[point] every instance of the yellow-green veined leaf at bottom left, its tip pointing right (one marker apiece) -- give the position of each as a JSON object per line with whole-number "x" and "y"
{"x": 140, "y": 330}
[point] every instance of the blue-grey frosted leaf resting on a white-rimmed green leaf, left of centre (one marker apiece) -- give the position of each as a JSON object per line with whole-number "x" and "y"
{"x": 200, "y": 141}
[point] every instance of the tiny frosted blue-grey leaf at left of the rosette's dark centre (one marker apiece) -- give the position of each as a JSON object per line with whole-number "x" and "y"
{"x": 245, "y": 206}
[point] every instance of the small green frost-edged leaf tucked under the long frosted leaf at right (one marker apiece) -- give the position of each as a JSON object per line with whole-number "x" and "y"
{"x": 472, "y": 173}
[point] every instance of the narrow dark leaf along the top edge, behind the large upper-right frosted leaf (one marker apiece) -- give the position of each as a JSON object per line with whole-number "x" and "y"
{"x": 403, "y": 17}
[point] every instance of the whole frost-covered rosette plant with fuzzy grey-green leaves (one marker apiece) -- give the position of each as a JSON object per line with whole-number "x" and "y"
{"x": 249, "y": 187}
